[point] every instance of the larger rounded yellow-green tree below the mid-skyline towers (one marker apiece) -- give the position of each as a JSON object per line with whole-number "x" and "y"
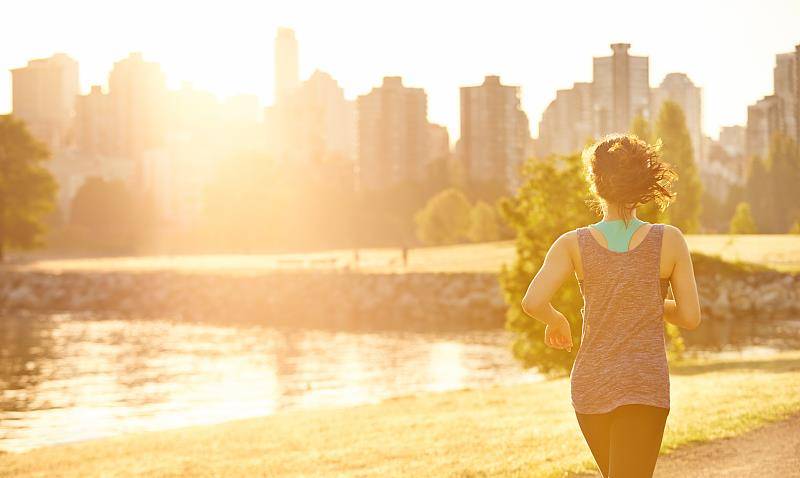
{"x": 444, "y": 219}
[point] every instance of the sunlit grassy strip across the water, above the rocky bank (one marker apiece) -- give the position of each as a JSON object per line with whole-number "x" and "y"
{"x": 778, "y": 251}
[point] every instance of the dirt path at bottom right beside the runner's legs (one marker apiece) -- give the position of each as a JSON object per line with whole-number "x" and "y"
{"x": 770, "y": 451}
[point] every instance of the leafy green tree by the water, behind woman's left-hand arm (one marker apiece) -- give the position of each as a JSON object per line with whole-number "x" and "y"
{"x": 550, "y": 201}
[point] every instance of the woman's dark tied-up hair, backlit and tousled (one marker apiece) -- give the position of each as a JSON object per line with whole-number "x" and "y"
{"x": 624, "y": 170}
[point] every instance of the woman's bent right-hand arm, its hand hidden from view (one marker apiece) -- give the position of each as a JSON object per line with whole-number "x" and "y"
{"x": 684, "y": 310}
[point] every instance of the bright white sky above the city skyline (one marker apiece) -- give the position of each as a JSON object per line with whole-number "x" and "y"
{"x": 727, "y": 48}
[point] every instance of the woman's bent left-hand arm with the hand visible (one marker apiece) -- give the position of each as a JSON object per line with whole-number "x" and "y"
{"x": 555, "y": 270}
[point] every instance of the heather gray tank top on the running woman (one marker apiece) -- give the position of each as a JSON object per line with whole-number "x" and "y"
{"x": 622, "y": 358}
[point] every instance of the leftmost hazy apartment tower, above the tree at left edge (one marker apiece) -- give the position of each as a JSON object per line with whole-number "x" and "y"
{"x": 43, "y": 95}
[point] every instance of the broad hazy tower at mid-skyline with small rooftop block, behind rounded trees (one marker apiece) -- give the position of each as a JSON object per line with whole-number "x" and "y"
{"x": 393, "y": 132}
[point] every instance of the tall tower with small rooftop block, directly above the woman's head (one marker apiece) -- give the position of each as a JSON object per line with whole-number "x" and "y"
{"x": 620, "y": 90}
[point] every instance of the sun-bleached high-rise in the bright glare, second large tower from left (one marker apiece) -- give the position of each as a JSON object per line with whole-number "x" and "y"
{"x": 139, "y": 102}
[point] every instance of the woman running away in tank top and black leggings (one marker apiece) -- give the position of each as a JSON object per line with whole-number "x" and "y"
{"x": 624, "y": 266}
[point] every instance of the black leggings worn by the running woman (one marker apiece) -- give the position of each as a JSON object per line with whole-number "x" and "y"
{"x": 626, "y": 440}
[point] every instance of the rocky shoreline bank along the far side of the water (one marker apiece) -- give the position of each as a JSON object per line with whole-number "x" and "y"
{"x": 350, "y": 300}
